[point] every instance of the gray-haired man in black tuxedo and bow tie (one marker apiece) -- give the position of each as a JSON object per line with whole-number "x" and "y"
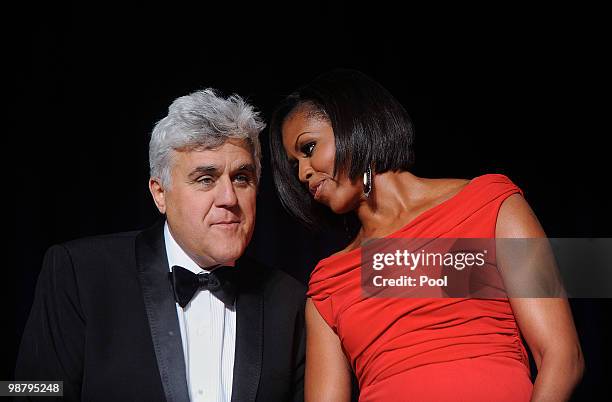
{"x": 175, "y": 312}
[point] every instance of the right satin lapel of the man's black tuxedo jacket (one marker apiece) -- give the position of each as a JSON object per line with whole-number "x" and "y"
{"x": 249, "y": 335}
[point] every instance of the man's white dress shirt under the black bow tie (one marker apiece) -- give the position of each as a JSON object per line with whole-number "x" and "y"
{"x": 208, "y": 332}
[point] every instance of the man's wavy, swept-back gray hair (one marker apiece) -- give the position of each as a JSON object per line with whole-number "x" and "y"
{"x": 202, "y": 120}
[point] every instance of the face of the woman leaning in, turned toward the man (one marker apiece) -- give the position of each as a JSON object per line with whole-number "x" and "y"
{"x": 309, "y": 142}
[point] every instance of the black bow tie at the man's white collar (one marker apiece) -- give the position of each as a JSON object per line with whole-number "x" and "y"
{"x": 220, "y": 282}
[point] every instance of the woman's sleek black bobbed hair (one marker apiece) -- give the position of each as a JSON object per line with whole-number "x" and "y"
{"x": 370, "y": 128}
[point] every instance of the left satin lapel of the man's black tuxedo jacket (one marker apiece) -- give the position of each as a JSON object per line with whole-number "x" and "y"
{"x": 161, "y": 312}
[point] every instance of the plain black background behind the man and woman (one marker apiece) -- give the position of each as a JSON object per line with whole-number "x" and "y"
{"x": 518, "y": 93}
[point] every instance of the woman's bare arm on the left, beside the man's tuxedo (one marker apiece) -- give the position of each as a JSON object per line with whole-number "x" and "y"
{"x": 328, "y": 374}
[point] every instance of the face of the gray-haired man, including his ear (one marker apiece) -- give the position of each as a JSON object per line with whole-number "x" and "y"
{"x": 210, "y": 205}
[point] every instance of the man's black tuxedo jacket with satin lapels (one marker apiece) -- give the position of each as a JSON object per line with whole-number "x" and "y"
{"x": 104, "y": 321}
